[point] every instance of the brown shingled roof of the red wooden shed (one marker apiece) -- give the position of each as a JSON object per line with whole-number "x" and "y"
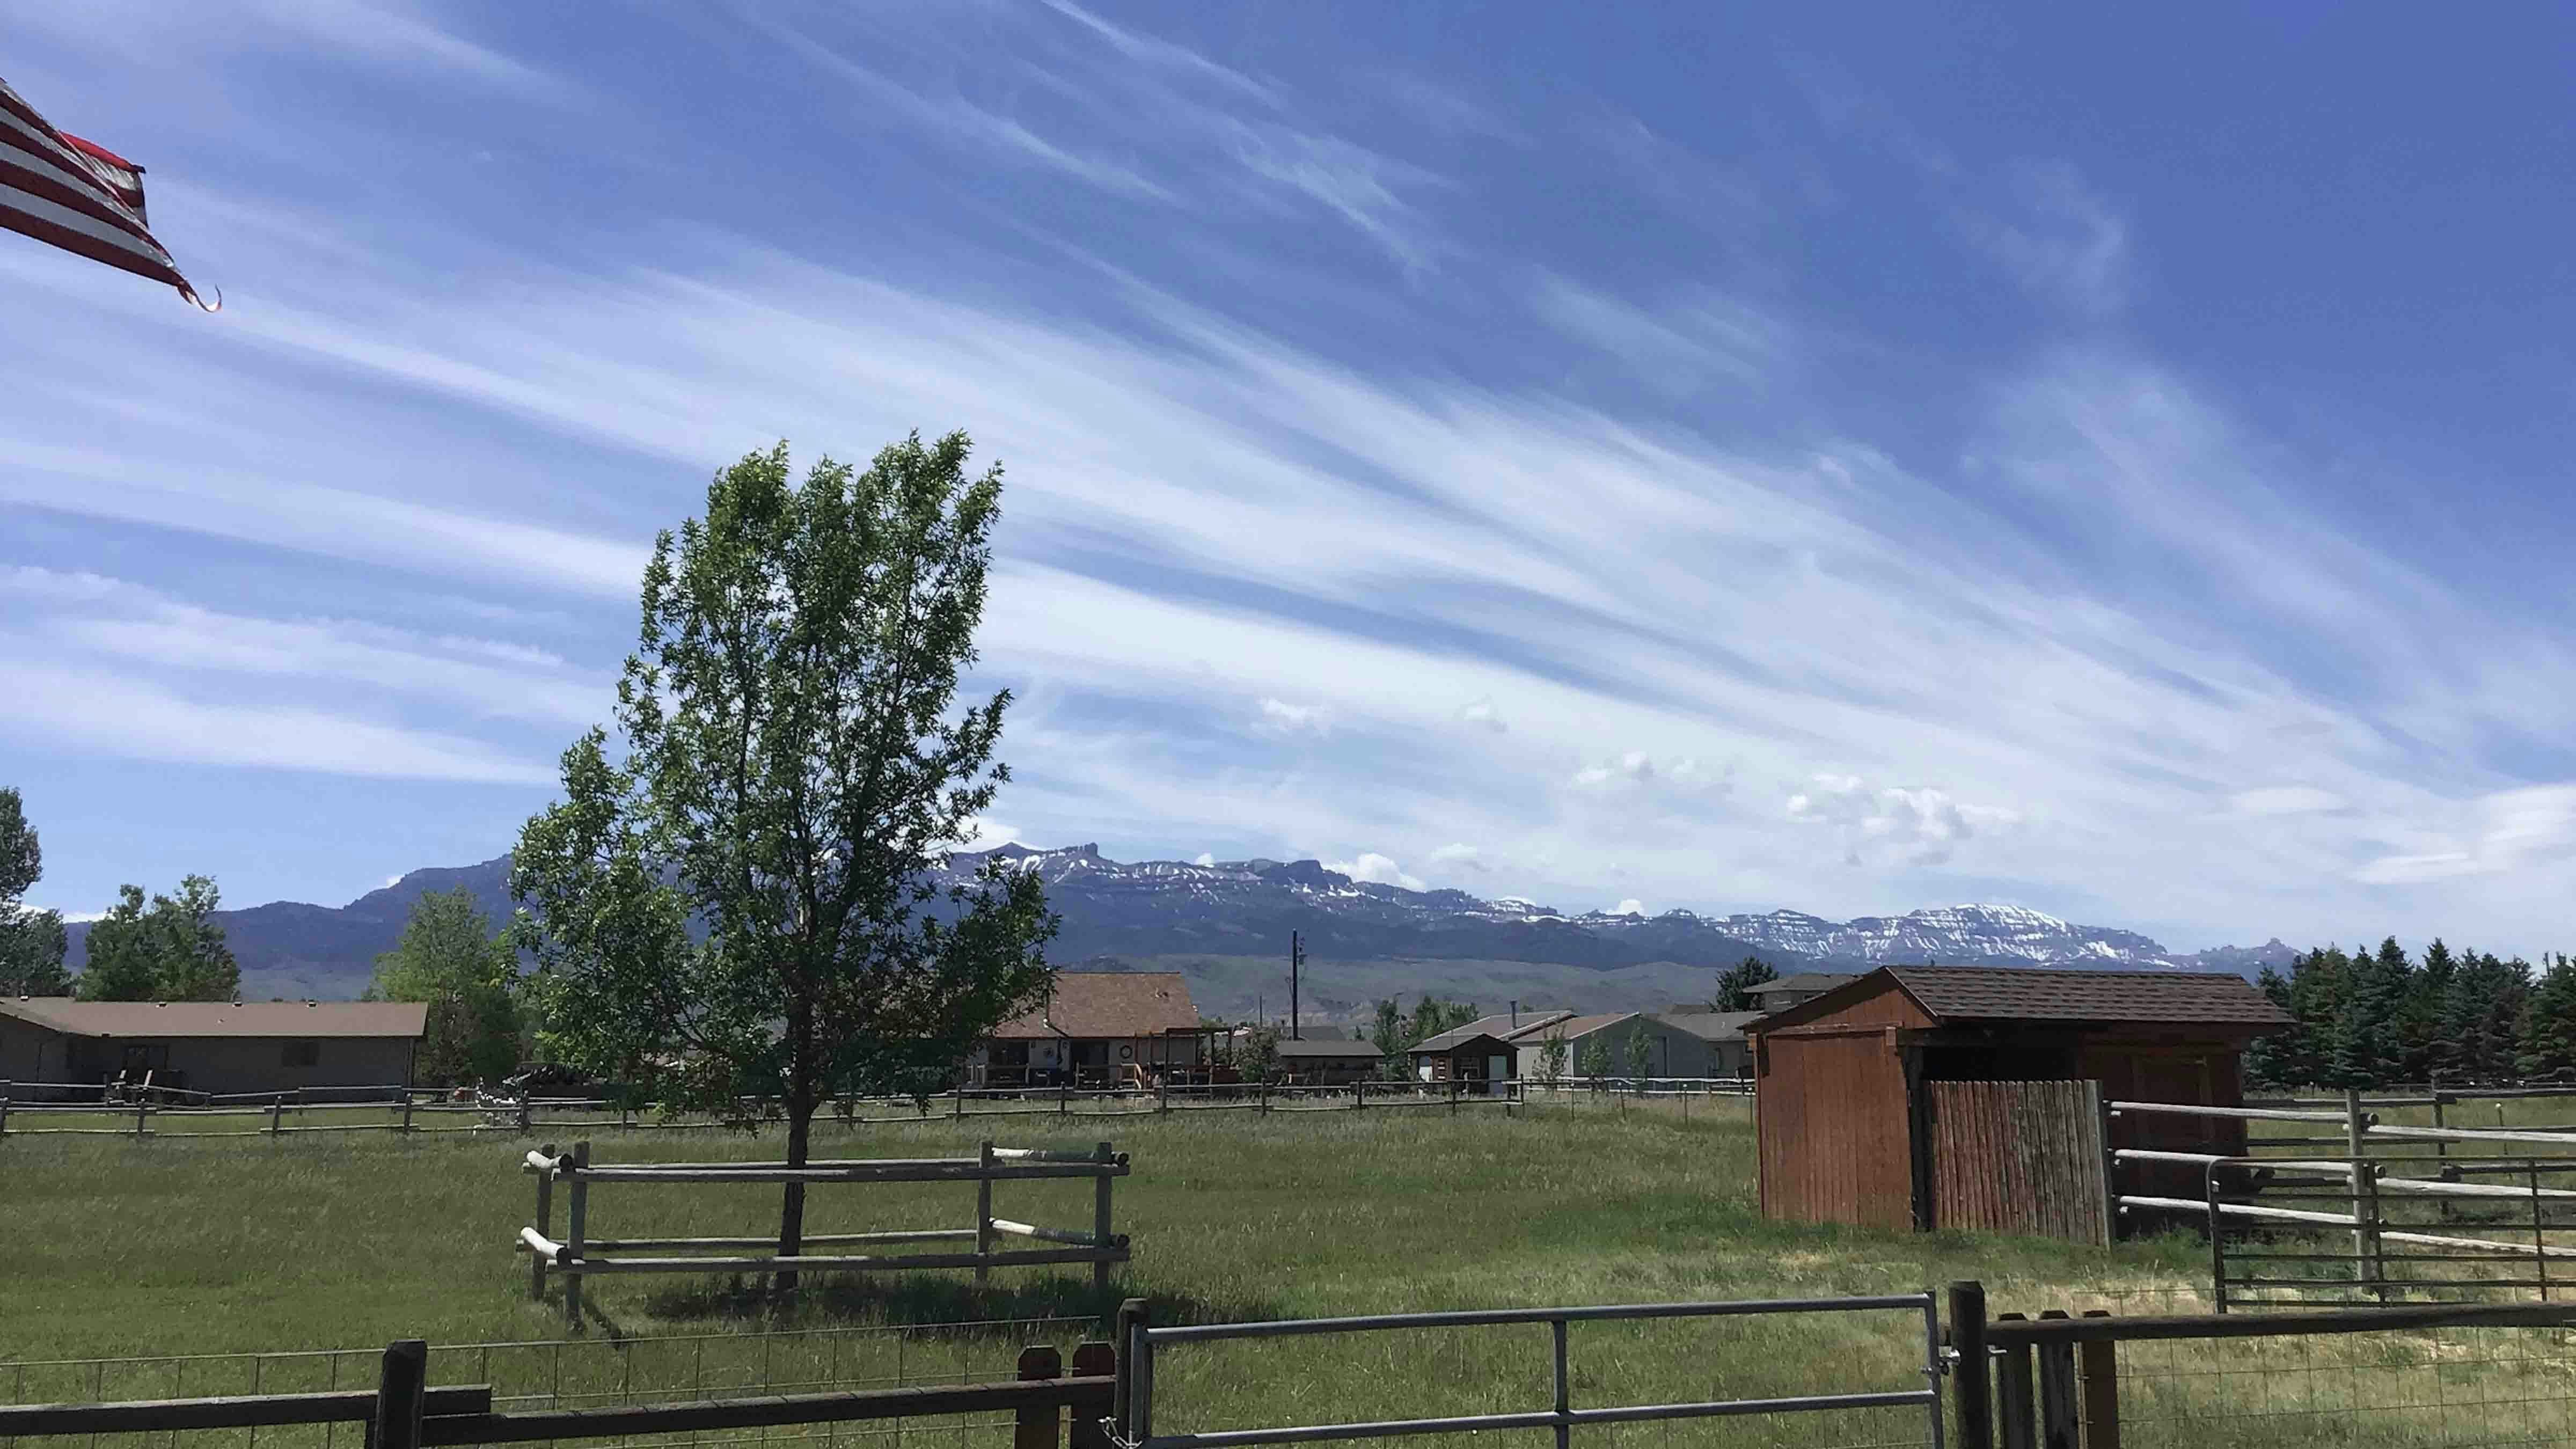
{"x": 2016, "y": 994}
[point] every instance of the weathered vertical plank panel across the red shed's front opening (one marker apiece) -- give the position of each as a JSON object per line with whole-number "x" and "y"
{"x": 2018, "y": 1159}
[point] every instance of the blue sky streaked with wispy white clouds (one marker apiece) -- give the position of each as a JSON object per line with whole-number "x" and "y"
{"x": 1719, "y": 458}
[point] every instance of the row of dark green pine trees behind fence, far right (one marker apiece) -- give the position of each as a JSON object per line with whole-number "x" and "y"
{"x": 2369, "y": 1020}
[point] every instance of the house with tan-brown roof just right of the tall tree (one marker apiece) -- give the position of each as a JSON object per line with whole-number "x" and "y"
{"x": 1096, "y": 1030}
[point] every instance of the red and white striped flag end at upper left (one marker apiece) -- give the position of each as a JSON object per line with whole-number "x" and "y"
{"x": 76, "y": 195}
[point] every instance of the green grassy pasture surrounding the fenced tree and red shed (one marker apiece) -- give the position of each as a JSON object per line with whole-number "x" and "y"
{"x": 223, "y": 1247}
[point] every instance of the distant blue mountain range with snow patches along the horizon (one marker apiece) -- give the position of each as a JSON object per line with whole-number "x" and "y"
{"x": 1176, "y": 914}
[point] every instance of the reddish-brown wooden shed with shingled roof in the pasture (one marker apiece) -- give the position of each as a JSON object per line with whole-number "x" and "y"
{"x": 1866, "y": 1115}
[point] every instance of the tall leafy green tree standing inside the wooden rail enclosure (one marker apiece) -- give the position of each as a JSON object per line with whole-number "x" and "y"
{"x": 746, "y": 901}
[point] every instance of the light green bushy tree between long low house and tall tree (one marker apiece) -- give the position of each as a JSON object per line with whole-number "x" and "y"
{"x": 452, "y": 960}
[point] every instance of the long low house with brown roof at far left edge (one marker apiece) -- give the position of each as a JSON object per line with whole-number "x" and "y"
{"x": 207, "y": 1045}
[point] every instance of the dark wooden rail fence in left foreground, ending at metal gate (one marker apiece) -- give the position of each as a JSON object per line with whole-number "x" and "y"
{"x": 1047, "y": 1409}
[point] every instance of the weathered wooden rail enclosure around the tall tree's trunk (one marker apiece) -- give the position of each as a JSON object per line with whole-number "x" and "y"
{"x": 578, "y": 1254}
